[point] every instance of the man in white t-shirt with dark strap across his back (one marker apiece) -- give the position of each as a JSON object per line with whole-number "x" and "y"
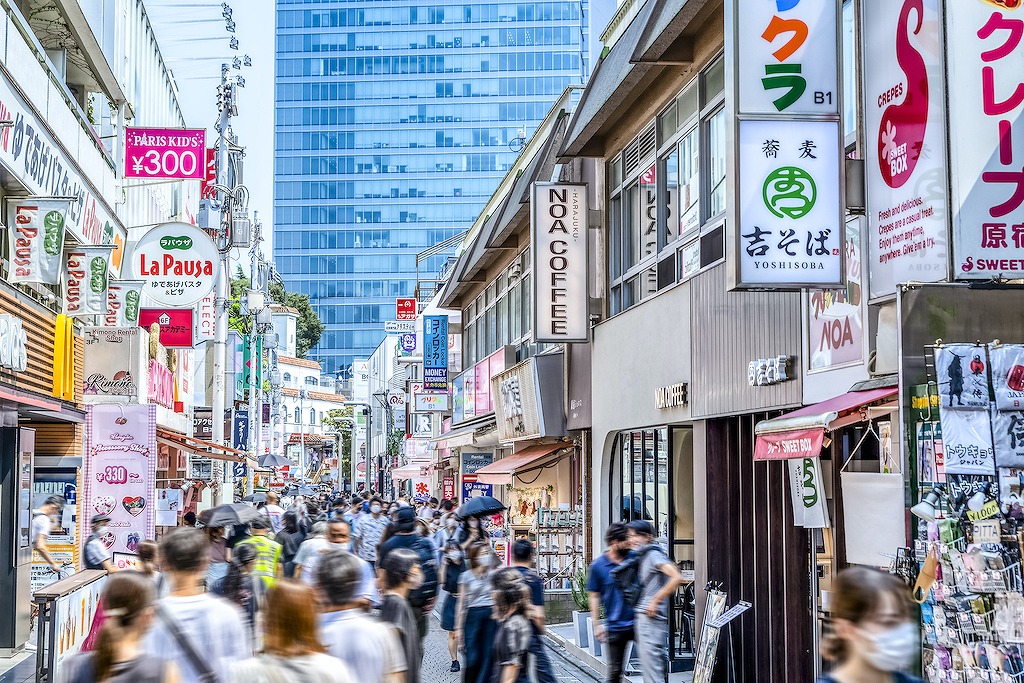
{"x": 191, "y": 619}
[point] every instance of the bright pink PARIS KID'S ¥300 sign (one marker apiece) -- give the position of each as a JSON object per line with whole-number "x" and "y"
{"x": 178, "y": 154}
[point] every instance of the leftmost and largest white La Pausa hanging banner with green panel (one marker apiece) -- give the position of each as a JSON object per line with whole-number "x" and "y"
{"x": 36, "y": 240}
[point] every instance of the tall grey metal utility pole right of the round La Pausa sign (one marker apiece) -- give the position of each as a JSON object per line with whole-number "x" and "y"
{"x": 227, "y": 493}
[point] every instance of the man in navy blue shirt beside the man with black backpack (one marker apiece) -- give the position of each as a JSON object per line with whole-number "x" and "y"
{"x": 618, "y": 630}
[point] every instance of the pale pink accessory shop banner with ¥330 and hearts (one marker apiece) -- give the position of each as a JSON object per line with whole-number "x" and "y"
{"x": 119, "y": 473}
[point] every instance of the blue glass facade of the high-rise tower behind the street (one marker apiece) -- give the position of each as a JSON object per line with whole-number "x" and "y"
{"x": 395, "y": 123}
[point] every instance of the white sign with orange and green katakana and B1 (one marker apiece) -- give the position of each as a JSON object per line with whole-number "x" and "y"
{"x": 787, "y": 58}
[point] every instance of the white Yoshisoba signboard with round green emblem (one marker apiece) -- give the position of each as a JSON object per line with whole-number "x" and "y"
{"x": 791, "y": 211}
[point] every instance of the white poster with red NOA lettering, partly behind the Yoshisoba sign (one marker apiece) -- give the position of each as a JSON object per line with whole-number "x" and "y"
{"x": 836, "y": 318}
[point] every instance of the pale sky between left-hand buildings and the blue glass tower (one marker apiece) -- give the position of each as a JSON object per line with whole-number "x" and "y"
{"x": 195, "y": 42}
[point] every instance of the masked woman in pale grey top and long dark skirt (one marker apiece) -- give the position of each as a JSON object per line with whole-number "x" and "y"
{"x": 475, "y": 623}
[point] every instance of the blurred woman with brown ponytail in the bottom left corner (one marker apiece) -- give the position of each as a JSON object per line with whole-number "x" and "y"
{"x": 118, "y": 656}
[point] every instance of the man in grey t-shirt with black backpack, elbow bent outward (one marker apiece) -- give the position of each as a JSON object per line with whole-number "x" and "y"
{"x": 658, "y": 578}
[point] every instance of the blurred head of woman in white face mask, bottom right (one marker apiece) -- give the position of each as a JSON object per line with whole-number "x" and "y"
{"x": 874, "y": 639}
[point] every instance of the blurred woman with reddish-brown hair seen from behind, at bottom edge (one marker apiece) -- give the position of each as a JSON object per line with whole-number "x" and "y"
{"x": 292, "y": 649}
